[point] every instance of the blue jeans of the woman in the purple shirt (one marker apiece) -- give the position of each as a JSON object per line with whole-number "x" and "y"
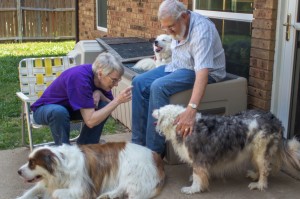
{"x": 58, "y": 118}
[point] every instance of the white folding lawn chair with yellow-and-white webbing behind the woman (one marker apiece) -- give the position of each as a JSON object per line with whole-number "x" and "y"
{"x": 35, "y": 75}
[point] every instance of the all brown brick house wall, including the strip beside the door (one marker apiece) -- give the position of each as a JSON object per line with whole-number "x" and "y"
{"x": 138, "y": 18}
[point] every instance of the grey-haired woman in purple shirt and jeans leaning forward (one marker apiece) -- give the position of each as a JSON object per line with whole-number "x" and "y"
{"x": 81, "y": 92}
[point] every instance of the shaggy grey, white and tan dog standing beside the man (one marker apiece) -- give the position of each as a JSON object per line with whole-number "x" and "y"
{"x": 219, "y": 145}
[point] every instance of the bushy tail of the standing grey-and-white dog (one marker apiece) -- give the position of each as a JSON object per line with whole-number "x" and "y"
{"x": 290, "y": 155}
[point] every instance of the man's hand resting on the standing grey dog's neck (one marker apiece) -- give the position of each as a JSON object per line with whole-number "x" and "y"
{"x": 185, "y": 122}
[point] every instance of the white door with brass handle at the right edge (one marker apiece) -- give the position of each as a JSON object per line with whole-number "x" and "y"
{"x": 285, "y": 90}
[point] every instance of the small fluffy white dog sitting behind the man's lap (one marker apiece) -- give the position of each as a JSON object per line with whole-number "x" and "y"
{"x": 162, "y": 52}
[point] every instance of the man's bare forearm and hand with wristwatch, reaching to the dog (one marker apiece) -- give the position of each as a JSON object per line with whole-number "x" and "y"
{"x": 185, "y": 121}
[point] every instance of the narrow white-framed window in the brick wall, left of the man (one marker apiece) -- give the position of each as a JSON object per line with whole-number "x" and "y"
{"x": 101, "y": 15}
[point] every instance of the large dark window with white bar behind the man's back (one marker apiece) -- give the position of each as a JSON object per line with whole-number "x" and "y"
{"x": 233, "y": 19}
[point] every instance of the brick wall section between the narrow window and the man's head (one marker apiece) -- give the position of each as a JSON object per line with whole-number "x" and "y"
{"x": 134, "y": 18}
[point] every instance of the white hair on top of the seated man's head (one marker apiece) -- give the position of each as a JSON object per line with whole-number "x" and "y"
{"x": 171, "y": 8}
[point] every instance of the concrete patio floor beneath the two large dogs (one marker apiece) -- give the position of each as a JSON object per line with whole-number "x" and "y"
{"x": 235, "y": 187}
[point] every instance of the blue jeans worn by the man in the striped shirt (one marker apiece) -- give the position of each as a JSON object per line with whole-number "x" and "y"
{"x": 152, "y": 90}
